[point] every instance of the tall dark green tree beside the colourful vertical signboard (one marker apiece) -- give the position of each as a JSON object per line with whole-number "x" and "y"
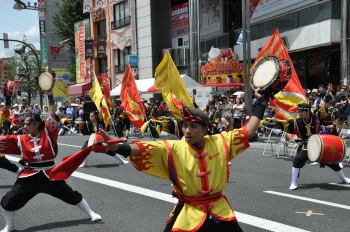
{"x": 69, "y": 12}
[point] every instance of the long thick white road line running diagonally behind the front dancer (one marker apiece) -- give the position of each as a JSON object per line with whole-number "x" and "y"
{"x": 242, "y": 217}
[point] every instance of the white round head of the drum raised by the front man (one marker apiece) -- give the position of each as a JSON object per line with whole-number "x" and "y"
{"x": 265, "y": 73}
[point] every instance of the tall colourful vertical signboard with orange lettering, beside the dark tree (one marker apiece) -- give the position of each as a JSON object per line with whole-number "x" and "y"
{"x": 82, "y": 33}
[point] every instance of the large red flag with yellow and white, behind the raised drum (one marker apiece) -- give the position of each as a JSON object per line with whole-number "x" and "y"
{"x": 286, "y": 101}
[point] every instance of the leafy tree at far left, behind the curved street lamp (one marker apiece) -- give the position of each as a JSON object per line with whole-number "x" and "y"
{"x": 25, "y": 63}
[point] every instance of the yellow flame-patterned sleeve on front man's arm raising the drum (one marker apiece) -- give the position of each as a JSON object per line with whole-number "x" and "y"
{"x": 237, "y": 141}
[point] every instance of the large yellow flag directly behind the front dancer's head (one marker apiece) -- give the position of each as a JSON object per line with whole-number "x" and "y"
{"x": 170, "y": 84}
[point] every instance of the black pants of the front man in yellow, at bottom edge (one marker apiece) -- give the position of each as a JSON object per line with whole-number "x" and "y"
{"x": 209, "y": 225}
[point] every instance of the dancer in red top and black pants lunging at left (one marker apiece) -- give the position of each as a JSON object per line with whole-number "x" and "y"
{"x": 38, "y": 149}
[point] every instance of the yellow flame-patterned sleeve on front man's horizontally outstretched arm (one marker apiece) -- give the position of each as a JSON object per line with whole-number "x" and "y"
{"x": 153, "y": 159}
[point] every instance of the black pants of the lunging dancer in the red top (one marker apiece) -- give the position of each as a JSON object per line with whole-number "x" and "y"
{"x": 26, "y": 188}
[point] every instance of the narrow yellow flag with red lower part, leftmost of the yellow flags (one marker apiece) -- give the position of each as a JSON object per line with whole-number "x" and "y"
{"x": 98, "y": 98}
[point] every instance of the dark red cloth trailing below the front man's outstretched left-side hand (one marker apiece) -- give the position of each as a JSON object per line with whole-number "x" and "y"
{"x": 69, "y": 164}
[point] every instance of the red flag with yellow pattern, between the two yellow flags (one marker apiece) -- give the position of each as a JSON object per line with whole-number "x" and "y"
{"x": 131, "y": 100}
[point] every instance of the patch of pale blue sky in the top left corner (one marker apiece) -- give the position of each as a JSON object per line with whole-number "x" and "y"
{"x": 17, "y": 24}
